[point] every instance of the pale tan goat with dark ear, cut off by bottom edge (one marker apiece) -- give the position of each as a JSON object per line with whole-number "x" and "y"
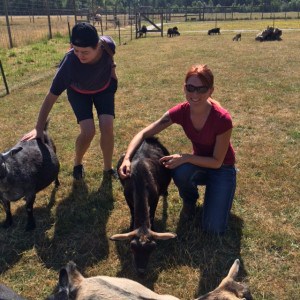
{"x": 73, "y": 285}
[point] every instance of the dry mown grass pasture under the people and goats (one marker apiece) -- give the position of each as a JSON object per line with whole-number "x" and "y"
{"x": 259, "y": 83}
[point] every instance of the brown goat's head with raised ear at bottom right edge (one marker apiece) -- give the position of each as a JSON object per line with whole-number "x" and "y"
{"x": 229, "y": 289}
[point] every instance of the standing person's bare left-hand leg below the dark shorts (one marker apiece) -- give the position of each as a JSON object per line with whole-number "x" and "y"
{"x": 83, "y": 141}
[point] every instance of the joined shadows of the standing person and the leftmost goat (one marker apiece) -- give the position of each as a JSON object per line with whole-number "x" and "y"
{"x": 76, "y": 230}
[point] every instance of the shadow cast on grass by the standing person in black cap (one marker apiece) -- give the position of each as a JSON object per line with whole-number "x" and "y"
{"x": 80, "y": 230}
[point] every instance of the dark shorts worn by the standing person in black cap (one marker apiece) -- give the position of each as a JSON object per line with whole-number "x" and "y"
{"x": 104, "y": 102}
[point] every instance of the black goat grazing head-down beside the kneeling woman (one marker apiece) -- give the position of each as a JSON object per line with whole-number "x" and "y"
{"x": 148, "y": 181}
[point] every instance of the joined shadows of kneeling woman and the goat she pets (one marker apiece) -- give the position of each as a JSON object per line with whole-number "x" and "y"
{"x": 211, "y": 255}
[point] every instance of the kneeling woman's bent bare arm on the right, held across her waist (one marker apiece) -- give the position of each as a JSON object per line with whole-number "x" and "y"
{"x": 214, "y": 162}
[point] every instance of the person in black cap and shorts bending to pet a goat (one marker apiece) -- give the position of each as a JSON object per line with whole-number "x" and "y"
{"x": 87, "y": 73}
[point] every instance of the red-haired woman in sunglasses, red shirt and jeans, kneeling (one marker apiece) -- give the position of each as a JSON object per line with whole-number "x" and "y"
{"x": 212, "y": 163}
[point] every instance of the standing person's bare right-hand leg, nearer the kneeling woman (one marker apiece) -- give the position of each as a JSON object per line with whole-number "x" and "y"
{"x": 106, "y": 125}
